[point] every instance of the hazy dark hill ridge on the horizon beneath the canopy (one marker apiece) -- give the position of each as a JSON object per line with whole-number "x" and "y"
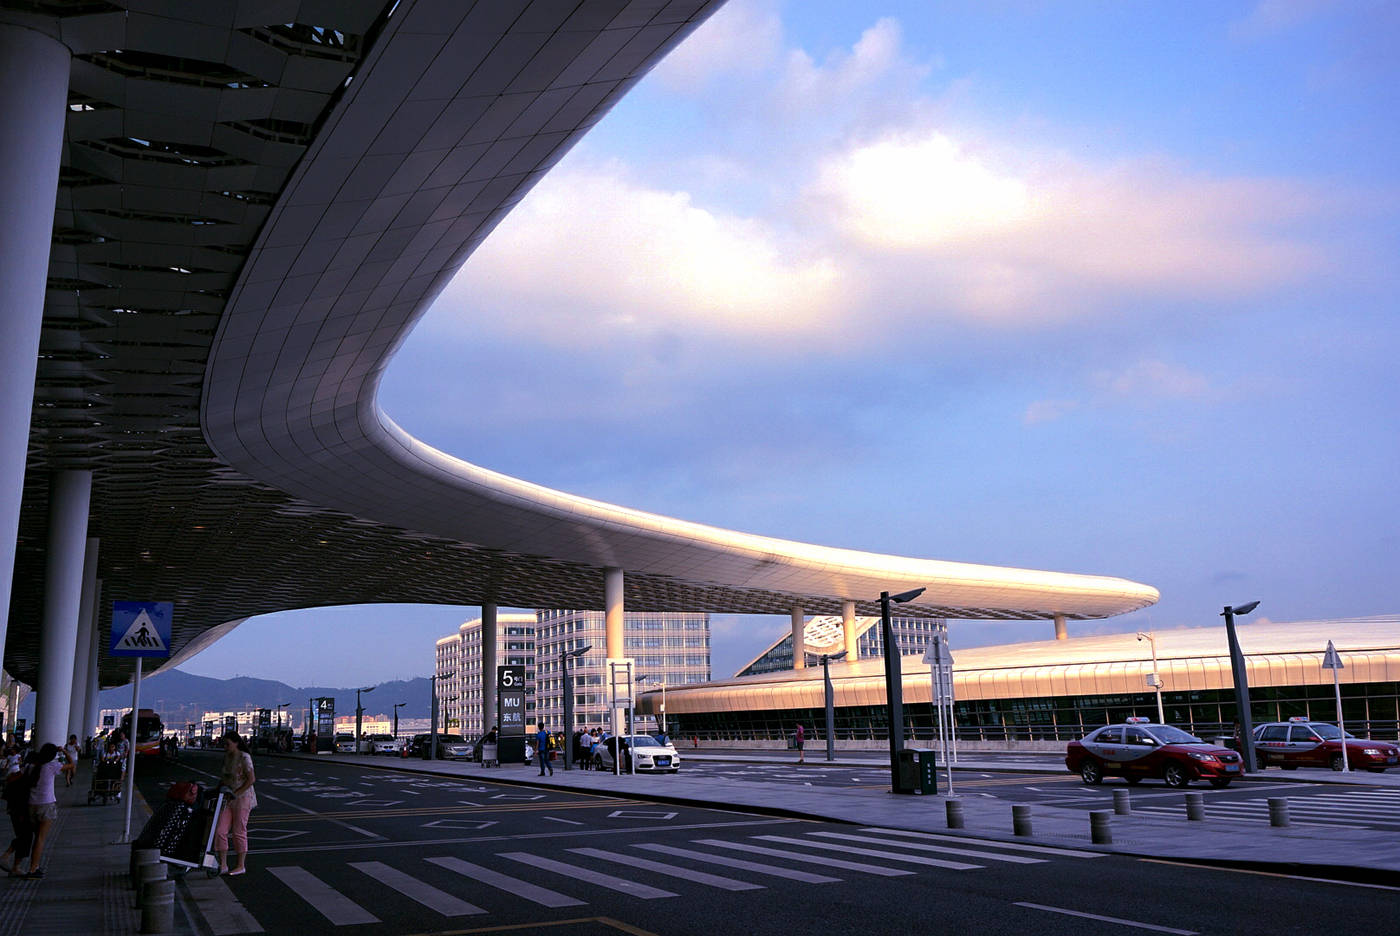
{"x": 183, "y": 697}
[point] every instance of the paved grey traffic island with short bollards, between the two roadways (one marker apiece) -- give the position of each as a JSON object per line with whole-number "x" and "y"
{"x": 1366, "y": 856}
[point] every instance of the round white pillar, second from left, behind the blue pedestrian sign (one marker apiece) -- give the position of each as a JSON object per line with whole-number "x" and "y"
{"x": 69, "y": 495}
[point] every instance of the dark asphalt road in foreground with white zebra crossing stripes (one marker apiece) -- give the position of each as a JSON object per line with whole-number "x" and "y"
{"x": 338, "y": 849}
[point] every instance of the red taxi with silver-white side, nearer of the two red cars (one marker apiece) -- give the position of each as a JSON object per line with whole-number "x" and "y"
{"x": 1142, "y": 749}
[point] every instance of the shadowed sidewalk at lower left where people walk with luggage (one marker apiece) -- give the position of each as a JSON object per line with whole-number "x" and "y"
{"x": 86, "y": 888}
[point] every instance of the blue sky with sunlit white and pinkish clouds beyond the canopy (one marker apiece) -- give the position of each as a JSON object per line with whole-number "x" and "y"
{"x": 1094, "y": 288}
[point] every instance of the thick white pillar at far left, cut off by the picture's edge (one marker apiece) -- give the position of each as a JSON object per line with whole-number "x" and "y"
{"x": 34, "y": 78}
